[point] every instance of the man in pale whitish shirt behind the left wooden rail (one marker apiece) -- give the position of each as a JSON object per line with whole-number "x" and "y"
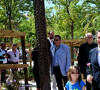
{"x": 13, "y": 56}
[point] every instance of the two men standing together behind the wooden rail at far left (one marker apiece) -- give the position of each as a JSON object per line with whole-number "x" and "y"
{"x": 8, "y": 57}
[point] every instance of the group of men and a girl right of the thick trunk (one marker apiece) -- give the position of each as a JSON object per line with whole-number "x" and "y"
{"x": 68, "y": 76}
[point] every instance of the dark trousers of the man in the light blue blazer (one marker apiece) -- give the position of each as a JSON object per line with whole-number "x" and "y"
{"x": 61, "y": 80}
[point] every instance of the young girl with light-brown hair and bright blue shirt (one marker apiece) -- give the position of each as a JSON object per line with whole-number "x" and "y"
{"x": 75, "y": 82}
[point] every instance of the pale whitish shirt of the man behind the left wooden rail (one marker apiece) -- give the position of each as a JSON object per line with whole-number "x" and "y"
{"x": 14, "y": 57}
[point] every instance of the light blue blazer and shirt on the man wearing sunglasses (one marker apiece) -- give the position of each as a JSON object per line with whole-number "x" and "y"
{"x": 61, "y": 58}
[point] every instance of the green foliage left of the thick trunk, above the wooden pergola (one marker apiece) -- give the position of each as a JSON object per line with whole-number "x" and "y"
{"x": 19, "y": 21}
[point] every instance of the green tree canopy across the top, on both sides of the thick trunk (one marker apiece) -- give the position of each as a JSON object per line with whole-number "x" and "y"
{"x": 71, "y": 19}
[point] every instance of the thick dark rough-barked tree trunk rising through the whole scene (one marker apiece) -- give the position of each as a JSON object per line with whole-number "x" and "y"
{"x": 41, "y": 35}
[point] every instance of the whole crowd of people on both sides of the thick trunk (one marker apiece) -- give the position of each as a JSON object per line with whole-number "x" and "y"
{"x": 62, "y": 73}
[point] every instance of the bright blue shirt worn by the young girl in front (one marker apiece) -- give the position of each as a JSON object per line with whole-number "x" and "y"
{"x": 76, "y": 86}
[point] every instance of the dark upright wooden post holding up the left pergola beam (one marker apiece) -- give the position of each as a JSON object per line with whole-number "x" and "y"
{"x": 24, "y": 61}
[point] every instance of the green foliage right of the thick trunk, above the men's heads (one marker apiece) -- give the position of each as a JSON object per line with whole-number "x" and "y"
{"x": 84, "y": 17}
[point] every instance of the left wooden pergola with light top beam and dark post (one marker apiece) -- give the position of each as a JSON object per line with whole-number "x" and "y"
{"x": 21, "y": 35}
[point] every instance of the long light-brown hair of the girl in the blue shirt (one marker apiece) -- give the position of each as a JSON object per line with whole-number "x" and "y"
{"x": 71, "y": 69}
